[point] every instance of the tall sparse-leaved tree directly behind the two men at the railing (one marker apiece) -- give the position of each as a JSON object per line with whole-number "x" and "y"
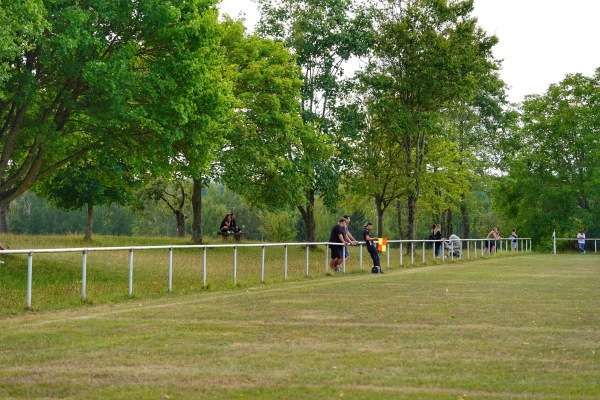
{"x": 323, "y": 35}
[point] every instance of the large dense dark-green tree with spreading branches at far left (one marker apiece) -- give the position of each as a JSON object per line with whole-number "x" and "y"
{"x": 106, "y": 75}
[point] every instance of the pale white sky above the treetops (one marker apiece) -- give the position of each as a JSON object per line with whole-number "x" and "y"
{"x": 540, "y": 40}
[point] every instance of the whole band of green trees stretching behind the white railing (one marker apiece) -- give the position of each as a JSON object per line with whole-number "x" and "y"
{"x": 135, "y": 107}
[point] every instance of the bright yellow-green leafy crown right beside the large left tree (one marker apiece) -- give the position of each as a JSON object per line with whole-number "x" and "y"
{"x": 266, "y": 136}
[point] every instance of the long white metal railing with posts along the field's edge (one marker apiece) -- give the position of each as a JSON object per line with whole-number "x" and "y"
{"x": 525, "y": 245}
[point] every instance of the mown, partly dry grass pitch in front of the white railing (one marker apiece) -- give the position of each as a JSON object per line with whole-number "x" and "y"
{"x": 523, "y": 327}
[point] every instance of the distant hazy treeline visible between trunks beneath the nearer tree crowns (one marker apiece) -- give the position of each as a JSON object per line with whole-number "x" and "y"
{"x": 33, "y": 215}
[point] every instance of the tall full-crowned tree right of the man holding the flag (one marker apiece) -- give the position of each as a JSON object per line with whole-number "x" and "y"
{"x": 430, "y": 57}
